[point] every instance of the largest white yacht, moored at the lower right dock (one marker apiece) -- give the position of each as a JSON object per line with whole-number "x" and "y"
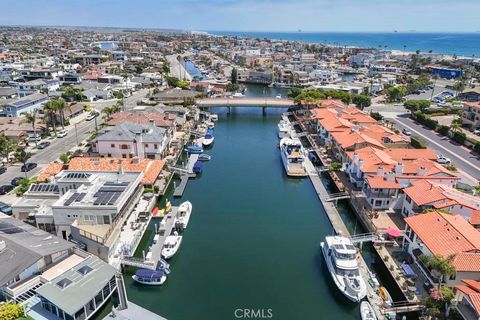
{"x": 341, "y": 258}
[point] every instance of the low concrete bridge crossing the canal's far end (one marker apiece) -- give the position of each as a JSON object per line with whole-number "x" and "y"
{"x": 245, "y": 102}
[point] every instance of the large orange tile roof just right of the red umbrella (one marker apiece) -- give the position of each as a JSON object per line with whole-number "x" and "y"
{"x": 444, "y": 234}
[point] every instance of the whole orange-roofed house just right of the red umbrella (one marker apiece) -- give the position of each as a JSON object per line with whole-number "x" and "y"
{"x": 446, "y": 235}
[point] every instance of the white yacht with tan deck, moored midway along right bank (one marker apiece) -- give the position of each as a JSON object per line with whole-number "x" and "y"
{"x": 292, "y": 157}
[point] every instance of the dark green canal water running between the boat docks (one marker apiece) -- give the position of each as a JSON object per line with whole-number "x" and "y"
{"x": 253, "y": 238}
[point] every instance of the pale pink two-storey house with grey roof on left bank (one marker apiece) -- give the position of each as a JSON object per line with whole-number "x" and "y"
{"x": 128, "y": 140}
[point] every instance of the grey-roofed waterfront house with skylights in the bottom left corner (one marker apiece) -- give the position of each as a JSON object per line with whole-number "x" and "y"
{"x": 49, "y": 273}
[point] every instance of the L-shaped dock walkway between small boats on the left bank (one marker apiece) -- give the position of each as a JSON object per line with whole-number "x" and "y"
{"x": 164, "y": 230}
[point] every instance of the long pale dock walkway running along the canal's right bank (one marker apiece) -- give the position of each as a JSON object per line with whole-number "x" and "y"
{"x": 340, "y": 228}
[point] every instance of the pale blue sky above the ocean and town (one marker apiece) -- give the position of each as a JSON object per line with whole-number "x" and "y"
{"x": 250, "y": 15}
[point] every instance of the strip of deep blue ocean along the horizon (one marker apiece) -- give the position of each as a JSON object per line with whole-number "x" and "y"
{"x": 460, "y": 44}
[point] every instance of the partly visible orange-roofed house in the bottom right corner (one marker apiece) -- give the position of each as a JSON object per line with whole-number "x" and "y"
{"x": 468, "y": 297}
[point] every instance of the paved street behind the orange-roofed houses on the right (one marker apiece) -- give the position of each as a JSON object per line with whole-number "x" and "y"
{"x": 461, "y": 157}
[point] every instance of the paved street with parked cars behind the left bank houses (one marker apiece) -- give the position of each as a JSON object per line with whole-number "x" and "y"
{"x": 59, "y": 146}
